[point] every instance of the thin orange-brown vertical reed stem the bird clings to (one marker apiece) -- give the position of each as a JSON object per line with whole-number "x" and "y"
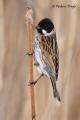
{"x": 29, "y": 38}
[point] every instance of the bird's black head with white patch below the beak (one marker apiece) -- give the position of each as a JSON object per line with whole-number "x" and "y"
{"x": 45, "y": 26}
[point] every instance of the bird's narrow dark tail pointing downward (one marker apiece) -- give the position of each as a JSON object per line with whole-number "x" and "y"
{"x": 55, "y": 91}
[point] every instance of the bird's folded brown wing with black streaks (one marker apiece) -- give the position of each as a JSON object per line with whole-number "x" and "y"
{"x": 50, "y": 53}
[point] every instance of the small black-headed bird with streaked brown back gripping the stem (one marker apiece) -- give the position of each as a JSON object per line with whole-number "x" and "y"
{"x": 46, "y": 53}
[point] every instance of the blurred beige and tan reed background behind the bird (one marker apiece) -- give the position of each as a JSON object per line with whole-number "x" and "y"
{"x": 14, "y": 69}
